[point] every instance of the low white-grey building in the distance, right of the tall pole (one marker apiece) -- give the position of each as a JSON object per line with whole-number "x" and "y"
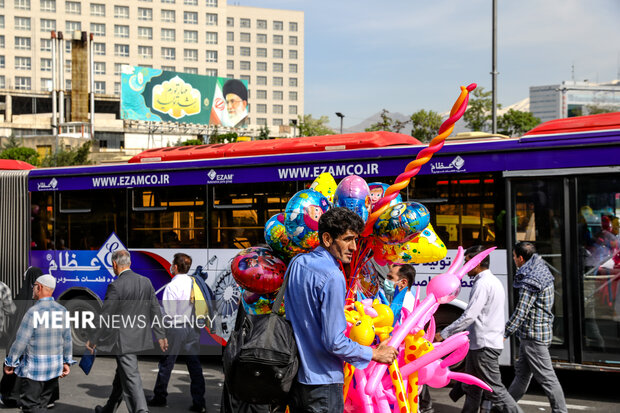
{"x": 572, "y": 98}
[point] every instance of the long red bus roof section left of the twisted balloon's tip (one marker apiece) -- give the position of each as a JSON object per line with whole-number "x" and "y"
{"x": 277, "y": 146}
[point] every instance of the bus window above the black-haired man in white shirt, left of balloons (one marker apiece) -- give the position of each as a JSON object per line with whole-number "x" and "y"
{"x": 168, "y": 217}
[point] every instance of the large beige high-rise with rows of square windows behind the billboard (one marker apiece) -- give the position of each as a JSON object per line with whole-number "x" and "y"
{"x": 207, "y": 37}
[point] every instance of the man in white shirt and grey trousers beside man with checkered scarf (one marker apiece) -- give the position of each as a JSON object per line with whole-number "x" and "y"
{"x": 485, "y": 319}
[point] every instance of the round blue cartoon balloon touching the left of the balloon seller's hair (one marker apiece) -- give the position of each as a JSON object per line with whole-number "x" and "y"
{"x": 301, "y": 217}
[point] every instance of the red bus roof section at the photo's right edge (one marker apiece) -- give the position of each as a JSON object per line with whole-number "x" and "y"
{"x": 602, "y": 121}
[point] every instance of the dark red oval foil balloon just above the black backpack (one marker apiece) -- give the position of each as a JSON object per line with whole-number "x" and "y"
{"x": 257, "y": 270}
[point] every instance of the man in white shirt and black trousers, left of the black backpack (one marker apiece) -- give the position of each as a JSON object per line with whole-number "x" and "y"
{"x": 183, "y": 336}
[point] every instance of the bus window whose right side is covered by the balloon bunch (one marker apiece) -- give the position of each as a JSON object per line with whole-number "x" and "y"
{"x": 238, "y": 213}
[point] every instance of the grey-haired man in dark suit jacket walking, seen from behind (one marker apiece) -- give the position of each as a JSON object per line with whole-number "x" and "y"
{"x": 131, "y": 296}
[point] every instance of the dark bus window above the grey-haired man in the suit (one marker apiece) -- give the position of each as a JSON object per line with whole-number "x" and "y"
{"x": 85, "y": 219}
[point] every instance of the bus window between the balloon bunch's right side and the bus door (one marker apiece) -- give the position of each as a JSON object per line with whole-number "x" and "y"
{"x": 464, "y": 211}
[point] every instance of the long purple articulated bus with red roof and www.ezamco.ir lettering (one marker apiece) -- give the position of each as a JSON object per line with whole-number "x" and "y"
{"x": 557, "y": 186}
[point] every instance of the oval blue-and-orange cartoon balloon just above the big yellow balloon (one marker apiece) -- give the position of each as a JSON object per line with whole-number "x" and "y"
{"x": 401, "y": 222}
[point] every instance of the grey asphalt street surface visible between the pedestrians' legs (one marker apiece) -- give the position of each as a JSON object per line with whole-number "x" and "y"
{"x": 585, "y": 391}
